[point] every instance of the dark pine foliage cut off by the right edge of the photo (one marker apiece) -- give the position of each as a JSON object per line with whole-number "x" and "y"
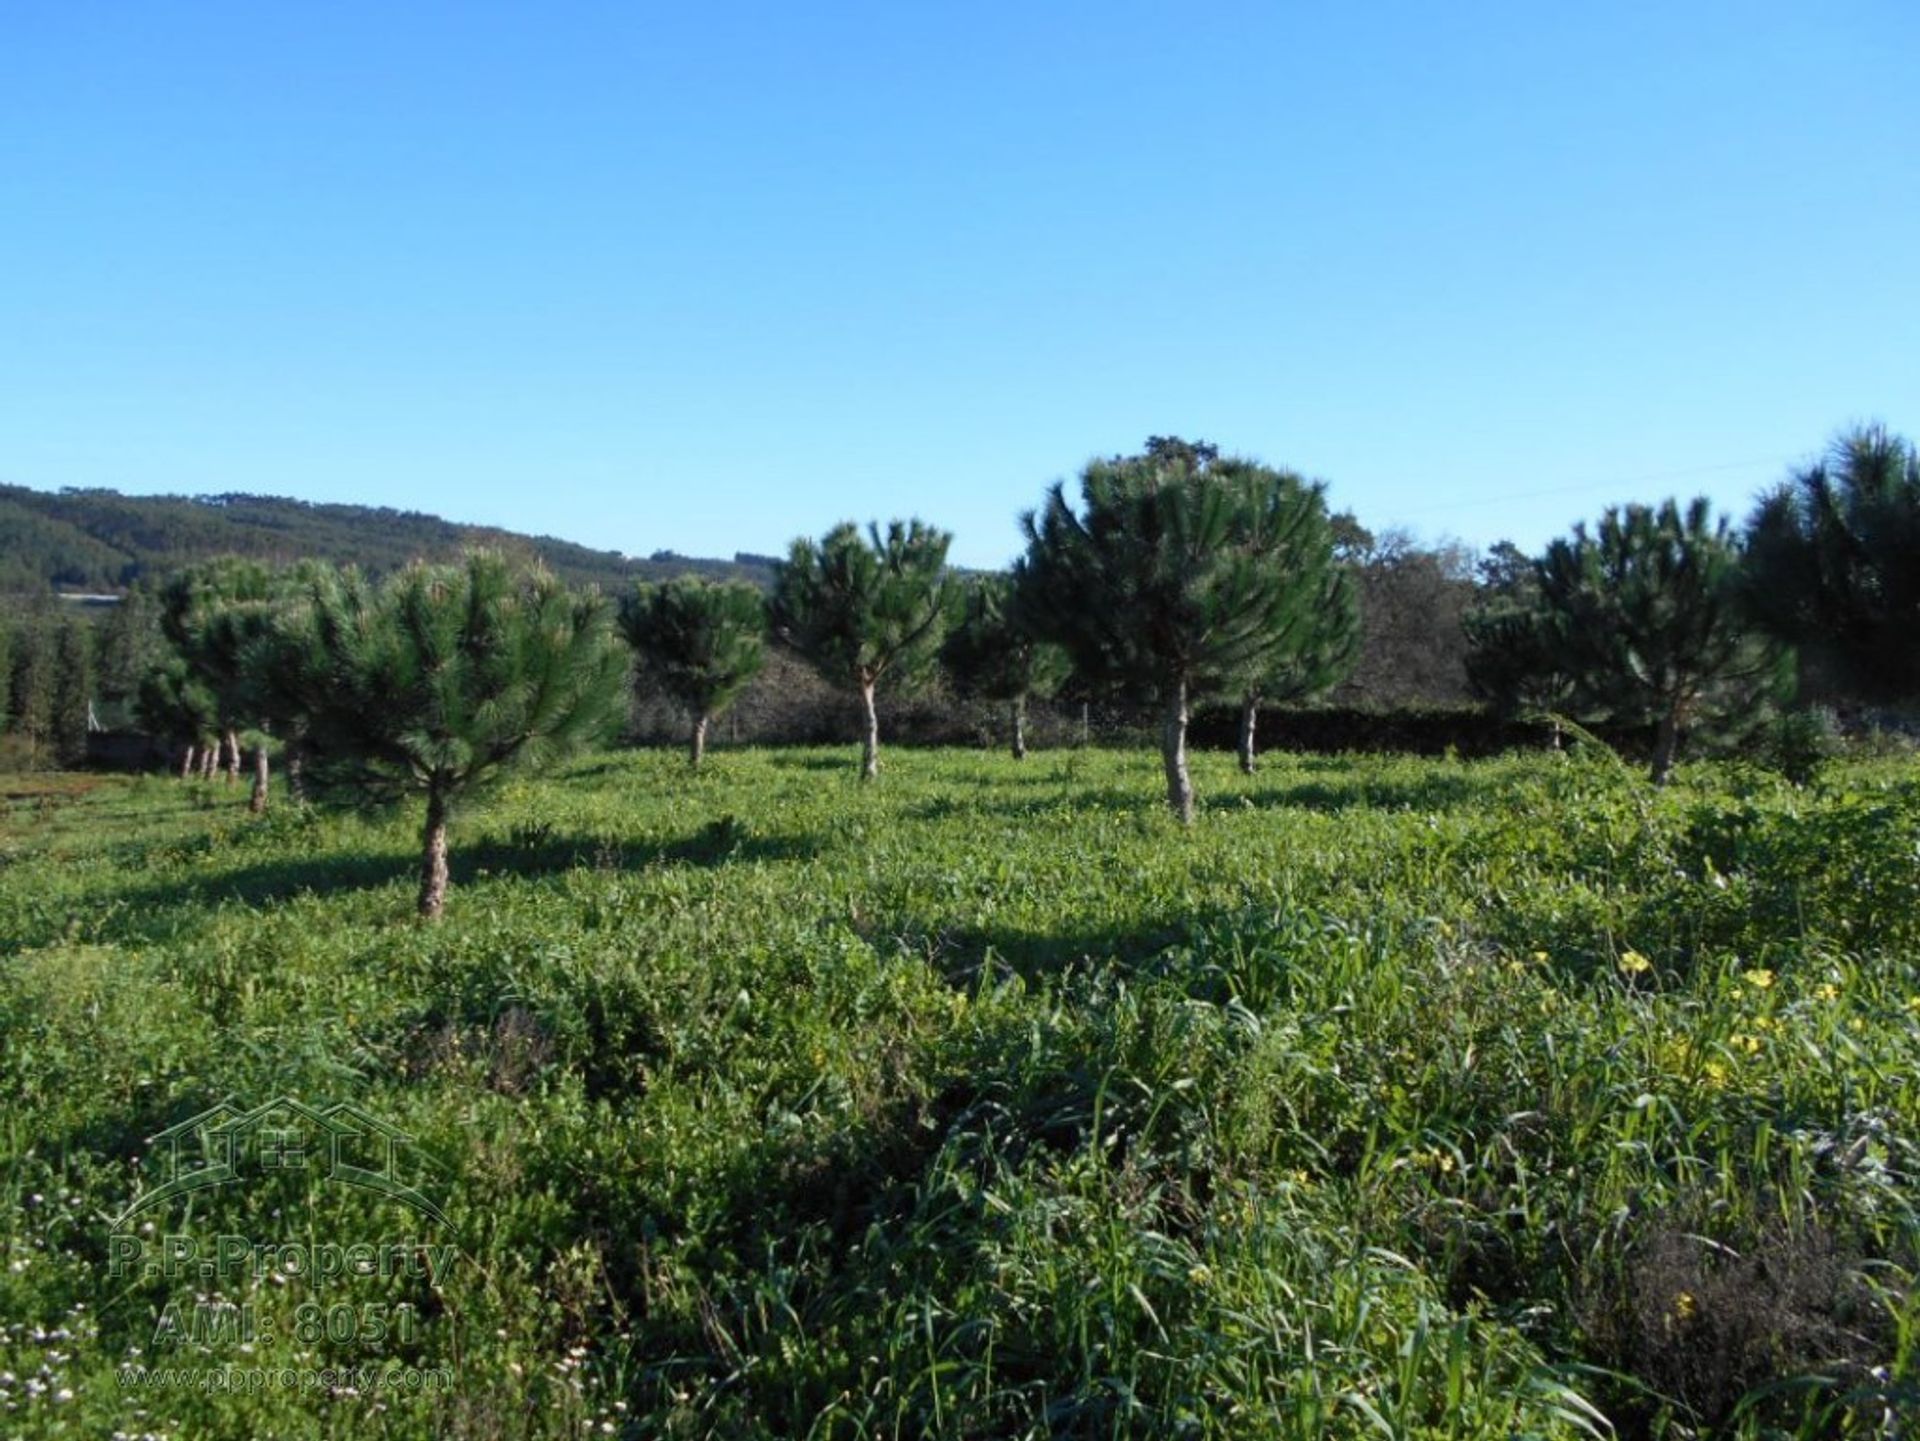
{"x": 1836, "y": 565}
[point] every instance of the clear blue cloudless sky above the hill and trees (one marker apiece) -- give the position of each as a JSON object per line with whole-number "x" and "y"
{"x": 715, "y": 275}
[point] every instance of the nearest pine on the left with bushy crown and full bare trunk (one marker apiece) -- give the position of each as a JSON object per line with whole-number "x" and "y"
{"x": 446, "y": 678}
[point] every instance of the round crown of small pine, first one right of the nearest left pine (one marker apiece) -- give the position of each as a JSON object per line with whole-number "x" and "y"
{"x": 698, "y": 642}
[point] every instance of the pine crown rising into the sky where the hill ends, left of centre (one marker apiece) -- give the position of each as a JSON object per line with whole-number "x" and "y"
{"x": 867, "y": 611}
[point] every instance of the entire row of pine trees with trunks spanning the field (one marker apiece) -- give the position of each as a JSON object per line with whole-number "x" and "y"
{"x": 1174, "y": 577}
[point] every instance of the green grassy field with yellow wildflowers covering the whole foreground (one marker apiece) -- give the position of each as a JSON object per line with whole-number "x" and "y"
{"x": 1399, "y": 1098}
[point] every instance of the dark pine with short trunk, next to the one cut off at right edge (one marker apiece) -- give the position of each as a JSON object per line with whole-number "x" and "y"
{"x": 1646, "y": 615}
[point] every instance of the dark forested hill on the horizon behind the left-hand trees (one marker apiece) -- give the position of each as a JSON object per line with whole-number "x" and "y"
{"x": 101, "y": 540}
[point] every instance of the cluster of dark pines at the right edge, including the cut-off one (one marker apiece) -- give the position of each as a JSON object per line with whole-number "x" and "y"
{"x": 1669, "y": 619}
